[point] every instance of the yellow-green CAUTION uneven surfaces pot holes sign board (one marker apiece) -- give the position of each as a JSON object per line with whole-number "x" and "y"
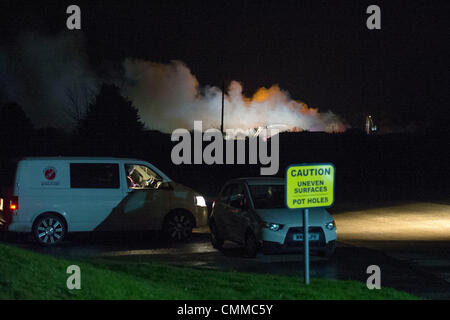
{"x": 310, "y": 185}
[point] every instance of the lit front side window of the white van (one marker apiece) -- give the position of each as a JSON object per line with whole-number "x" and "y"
{"x": 142, "y": 177}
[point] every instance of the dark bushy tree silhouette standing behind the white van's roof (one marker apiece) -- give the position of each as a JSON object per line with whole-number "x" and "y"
{"x": 112, "y": 124}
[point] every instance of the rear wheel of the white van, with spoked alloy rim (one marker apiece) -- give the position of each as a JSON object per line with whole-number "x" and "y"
{"x": 49, "y": 230}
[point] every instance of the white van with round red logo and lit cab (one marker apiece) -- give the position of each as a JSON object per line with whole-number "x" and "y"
{"x": 56, "y": 195}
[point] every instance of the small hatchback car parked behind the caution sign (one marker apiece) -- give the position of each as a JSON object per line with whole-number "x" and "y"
{"x": 252, "y": 212}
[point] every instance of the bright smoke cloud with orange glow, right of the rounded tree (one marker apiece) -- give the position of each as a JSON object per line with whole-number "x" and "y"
{"x": 168, "y": 96}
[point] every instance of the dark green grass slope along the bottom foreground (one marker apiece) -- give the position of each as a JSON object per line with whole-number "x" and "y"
{"x": 29, "y": 275}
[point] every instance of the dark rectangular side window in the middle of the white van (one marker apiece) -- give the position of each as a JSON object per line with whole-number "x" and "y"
{"x": 94, "y": 175}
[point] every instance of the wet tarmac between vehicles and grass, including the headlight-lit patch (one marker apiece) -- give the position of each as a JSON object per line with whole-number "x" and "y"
{"x": 409, "y": 242}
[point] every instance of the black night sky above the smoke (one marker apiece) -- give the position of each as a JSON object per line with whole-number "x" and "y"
{"x": 319, "y": 51}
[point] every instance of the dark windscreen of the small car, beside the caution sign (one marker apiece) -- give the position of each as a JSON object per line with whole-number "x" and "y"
{"x": 268, "y": 196}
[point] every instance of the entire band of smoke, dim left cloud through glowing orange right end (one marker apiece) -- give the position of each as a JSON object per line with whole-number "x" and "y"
{"x": 49, "y": 76}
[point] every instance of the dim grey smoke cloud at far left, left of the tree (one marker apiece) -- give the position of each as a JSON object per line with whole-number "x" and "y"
{"x": 44, "y": 74}
